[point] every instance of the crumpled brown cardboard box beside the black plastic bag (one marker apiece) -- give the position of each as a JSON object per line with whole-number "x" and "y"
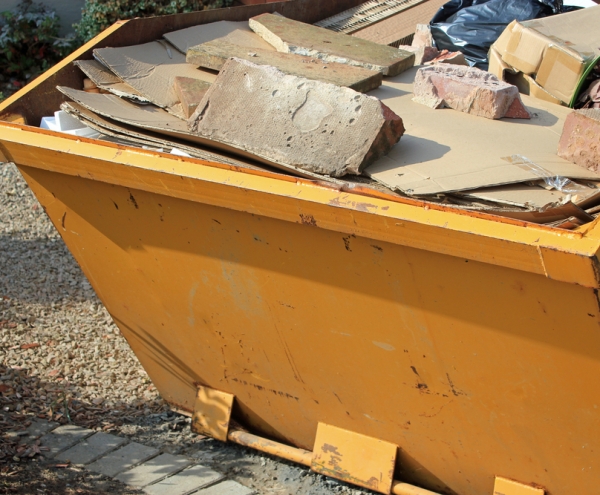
{"x": 558, "y": 49}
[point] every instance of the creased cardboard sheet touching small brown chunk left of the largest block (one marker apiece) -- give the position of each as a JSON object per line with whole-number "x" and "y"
{"x": 151, "y": 69}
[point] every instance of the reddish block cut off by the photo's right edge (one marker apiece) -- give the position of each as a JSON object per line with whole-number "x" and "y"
{"x": 580, "y": 139}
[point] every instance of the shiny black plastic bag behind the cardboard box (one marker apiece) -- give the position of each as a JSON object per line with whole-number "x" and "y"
{"x": 472, "y": 26}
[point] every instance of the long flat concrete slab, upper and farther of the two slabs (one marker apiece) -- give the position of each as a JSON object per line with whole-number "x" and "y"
{"x": 291, "y": 36}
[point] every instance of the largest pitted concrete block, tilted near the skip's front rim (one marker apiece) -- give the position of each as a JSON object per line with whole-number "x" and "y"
{"x": 293, "y": 122}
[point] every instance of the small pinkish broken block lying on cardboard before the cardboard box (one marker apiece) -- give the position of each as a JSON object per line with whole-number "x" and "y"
{"x": 468, "y": 90}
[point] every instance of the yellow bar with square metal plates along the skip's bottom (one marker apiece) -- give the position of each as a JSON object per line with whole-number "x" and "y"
{"x": 345, "y": 455}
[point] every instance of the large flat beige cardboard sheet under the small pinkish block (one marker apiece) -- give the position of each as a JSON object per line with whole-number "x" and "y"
{"x": 444, "y": 150}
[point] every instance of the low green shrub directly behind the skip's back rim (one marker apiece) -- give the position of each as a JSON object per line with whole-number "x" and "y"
{"x": 97, "y": 15}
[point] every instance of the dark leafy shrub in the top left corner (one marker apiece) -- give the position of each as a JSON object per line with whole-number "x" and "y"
{"x": 29, "y": 40}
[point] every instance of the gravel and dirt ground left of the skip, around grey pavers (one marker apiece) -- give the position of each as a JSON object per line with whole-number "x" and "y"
{"x": 63, "y": 359}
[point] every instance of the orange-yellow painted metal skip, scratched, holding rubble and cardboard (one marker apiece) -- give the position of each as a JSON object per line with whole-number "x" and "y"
{"x": 470, "y": 342}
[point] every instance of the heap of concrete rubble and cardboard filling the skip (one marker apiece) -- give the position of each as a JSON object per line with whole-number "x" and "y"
{"x": 326, "y": 103}
